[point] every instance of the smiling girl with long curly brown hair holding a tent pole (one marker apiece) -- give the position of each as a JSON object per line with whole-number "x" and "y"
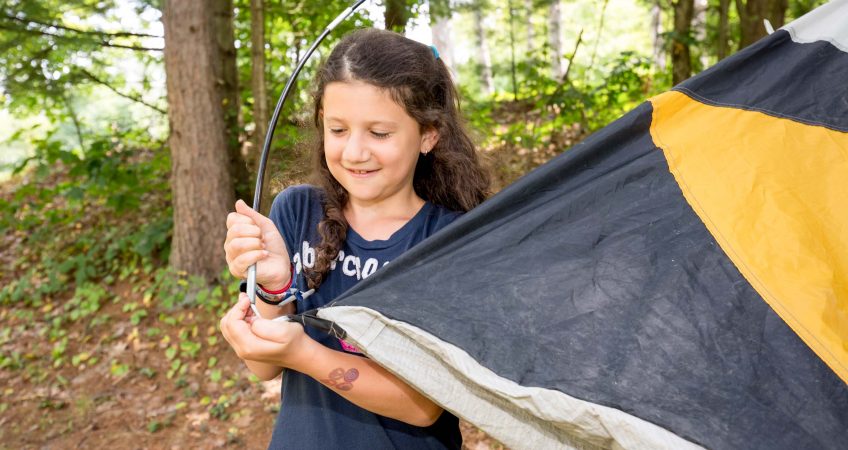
{"x": 393, "y": 166}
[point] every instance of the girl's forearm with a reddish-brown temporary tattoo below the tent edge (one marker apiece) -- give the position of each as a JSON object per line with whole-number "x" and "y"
{"x": 366, "y": 384}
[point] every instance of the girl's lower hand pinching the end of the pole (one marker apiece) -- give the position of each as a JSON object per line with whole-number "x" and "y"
{"x": 257, "y": 339}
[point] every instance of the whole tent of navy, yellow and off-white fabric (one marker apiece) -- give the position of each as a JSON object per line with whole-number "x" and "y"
{"x": 606, "y": 299}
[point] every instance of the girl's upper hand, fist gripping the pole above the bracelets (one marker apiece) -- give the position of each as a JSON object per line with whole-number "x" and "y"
{"x": 254, "y": 239}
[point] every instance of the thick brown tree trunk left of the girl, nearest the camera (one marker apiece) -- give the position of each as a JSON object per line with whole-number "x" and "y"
{"x": 201, "y": 183}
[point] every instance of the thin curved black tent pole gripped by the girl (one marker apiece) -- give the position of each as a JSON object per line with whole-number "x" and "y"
{"x": 257, "y": 193}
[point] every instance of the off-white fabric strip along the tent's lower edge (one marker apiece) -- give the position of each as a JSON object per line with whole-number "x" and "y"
{"x": 537, "y": 418}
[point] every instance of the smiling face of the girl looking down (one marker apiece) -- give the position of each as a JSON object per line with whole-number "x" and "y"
{"x": 371, "y": 144}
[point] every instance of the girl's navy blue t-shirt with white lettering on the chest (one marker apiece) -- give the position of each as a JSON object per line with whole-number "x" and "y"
{"x": 311, "y": 415}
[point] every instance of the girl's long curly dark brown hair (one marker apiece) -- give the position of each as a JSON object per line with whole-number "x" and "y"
{"x": 450, "y": 175}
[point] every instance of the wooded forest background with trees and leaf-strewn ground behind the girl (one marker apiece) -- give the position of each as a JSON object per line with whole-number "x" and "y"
{"x": 128, "y": 129}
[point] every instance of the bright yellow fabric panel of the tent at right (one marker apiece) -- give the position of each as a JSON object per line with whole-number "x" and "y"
{"x": 784, "y": 226}
